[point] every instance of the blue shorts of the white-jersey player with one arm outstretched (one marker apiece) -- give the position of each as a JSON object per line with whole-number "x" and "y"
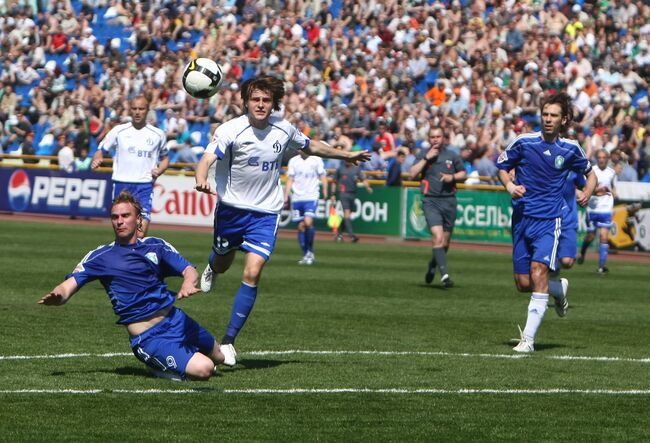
{"x": 250, "y": 231}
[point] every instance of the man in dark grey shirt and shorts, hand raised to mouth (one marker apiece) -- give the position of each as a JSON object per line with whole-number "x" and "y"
{"x": 439, "y": 169}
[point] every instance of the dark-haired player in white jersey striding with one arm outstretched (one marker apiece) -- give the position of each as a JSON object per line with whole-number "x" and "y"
{"x": 248, "y": 151}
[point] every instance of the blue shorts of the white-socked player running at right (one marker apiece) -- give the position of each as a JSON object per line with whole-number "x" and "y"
{"x": 535, "y": 239}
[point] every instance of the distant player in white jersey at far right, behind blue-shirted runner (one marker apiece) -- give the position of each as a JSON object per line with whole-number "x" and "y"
{"x": 599, "y": 211}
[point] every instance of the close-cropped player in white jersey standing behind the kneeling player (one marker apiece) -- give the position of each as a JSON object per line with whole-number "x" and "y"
{"x": 139, "y": 157}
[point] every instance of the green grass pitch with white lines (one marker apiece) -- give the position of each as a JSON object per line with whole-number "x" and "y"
{"x": 354, "y": 348}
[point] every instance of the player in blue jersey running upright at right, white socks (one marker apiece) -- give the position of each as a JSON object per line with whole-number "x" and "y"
{"x": 542, "y": 162}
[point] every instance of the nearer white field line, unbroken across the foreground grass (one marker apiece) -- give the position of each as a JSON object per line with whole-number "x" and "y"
{"x": 393, "y": 391}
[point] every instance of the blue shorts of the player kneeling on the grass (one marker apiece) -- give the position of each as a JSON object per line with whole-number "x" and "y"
{"x": 170, "y": 344}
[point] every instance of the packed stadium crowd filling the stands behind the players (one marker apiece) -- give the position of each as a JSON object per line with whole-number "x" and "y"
{"x": 373, "y": 75}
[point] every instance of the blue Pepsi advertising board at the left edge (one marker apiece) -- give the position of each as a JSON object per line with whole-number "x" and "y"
{"x": 85, "y": 194}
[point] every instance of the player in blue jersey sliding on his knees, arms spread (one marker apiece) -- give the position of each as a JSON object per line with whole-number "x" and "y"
{"x": 132, "y": 270}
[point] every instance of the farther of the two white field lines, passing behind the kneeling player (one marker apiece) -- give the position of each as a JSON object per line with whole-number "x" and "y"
{"x": 370, "y": 353}
